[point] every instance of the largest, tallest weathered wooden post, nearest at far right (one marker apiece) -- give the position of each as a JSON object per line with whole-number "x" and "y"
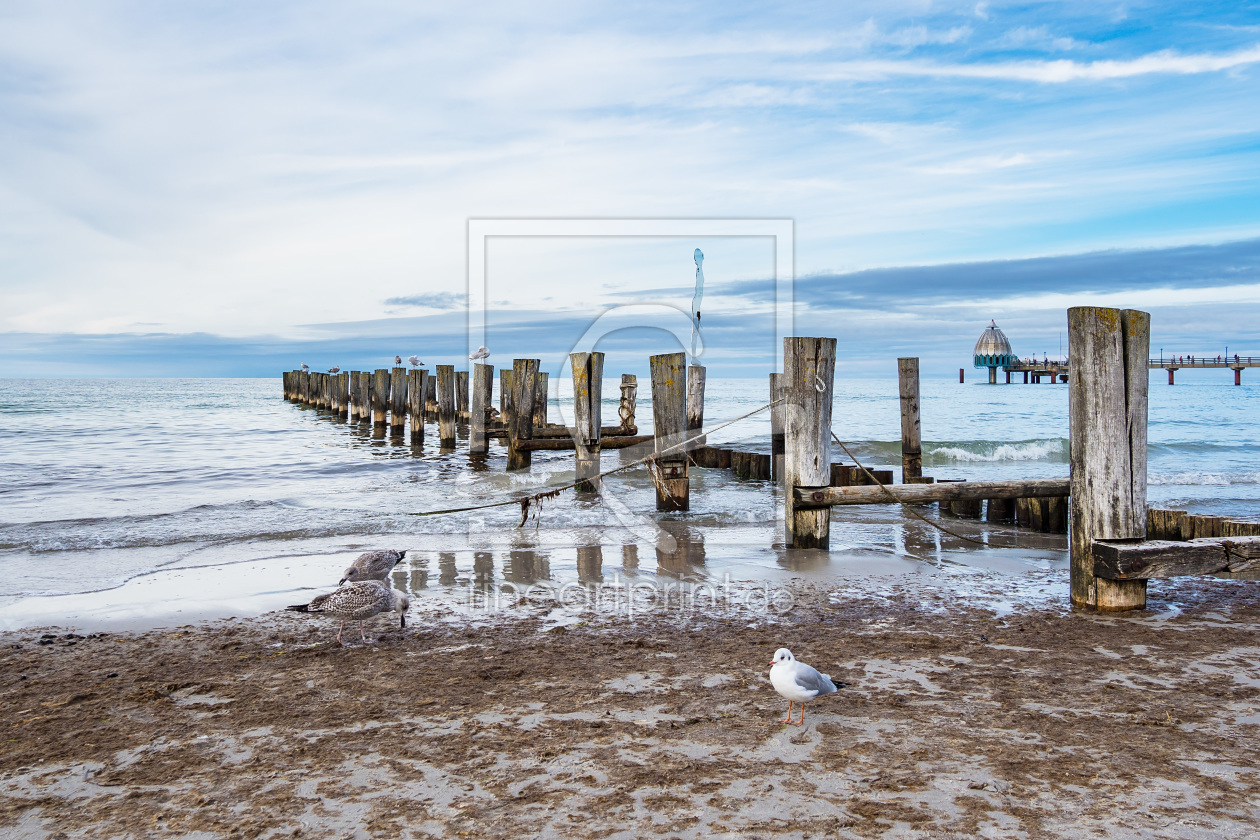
{"x": 1108, "y": 355}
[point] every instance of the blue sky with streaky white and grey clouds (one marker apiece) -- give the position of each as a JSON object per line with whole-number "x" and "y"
{"x": 235, "y": 190}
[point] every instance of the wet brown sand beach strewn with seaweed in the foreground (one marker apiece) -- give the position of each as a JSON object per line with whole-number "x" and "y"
{"x": 953, "y": 724}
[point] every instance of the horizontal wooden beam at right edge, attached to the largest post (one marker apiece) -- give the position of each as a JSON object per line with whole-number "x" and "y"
{"x": 1155, "y": 559}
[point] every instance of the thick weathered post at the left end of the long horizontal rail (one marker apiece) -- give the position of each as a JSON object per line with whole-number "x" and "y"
{"x": 810, "y": 373}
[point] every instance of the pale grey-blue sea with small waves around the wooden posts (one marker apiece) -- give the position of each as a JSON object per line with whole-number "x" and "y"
{"x": 149, "y": 503}
